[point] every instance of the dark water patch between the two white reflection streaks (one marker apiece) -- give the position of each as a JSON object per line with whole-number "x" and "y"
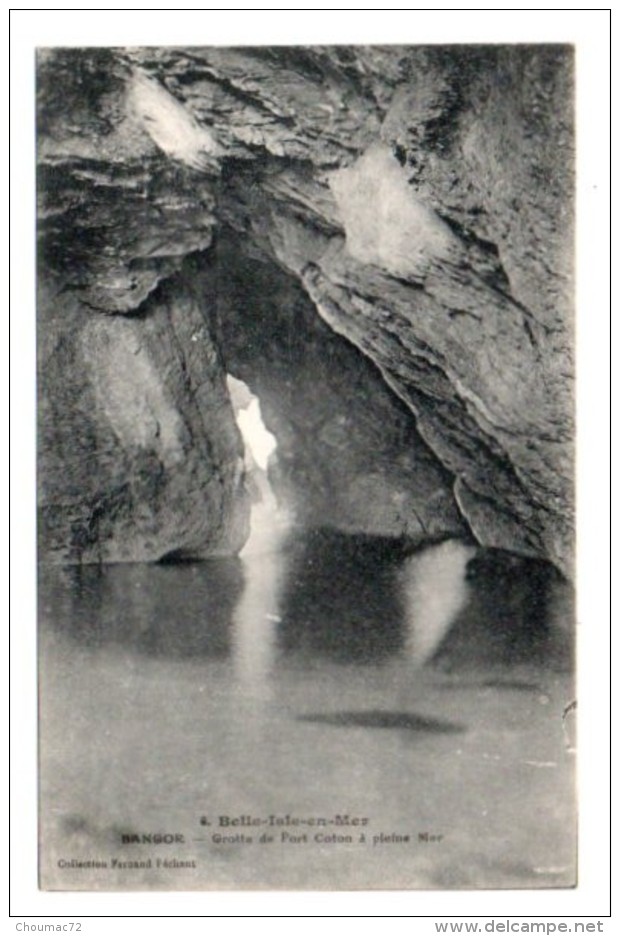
{"x": 339, "y": 601}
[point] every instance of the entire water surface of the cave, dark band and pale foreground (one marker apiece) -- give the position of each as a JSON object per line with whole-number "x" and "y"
{"x": 310, "y": 676}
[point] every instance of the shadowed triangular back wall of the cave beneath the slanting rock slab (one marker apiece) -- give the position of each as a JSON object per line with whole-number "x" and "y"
{"x": 349, "y": 456}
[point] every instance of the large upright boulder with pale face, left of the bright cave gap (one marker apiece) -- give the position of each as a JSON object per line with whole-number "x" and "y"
{"x": 139, "y": 451}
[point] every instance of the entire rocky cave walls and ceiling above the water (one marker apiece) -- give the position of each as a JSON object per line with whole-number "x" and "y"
{"x": 420, "y": 197}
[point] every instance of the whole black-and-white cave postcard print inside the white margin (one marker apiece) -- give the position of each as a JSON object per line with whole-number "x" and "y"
{"x": 306, "y": 466}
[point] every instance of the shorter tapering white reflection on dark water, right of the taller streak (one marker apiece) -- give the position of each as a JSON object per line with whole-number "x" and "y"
{"x": 434, "y": 589}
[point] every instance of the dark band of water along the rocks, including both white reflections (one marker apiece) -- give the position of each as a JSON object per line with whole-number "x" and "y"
{"x": 315, "y": 596}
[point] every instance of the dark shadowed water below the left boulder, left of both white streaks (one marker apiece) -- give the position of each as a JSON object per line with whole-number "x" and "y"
{"x": 176, "y": 611}
